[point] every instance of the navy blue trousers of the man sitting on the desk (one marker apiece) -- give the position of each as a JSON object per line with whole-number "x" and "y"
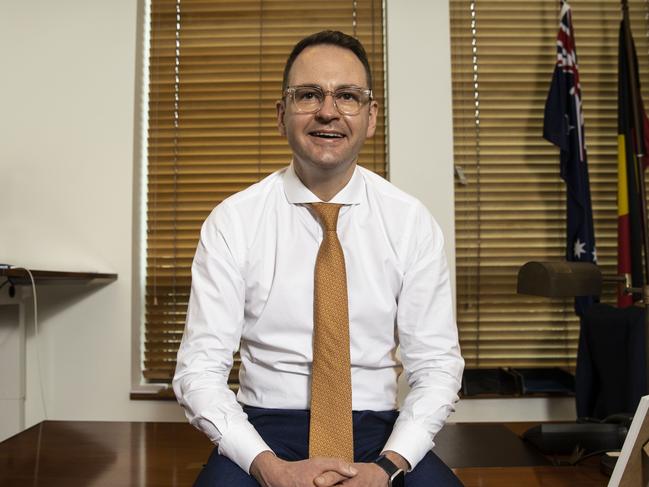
{"x": 287, "y": 433}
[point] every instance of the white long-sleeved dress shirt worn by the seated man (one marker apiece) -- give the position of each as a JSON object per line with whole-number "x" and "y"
{"x": 252, "y": 287}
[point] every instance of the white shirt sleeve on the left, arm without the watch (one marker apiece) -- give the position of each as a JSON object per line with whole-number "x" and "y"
{"x": 212, "y": 334}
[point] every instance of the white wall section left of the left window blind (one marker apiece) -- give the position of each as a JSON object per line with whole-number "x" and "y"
{"x": 66, "y": 166}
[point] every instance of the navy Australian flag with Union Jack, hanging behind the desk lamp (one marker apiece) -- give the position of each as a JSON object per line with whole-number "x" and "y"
{"x": 563, "y": 125}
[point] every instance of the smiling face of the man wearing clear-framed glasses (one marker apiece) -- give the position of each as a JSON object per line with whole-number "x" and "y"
{"x": 326, "y": 140}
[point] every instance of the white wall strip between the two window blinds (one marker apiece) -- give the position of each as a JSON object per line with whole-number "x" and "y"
{"x": 420, "y": 111}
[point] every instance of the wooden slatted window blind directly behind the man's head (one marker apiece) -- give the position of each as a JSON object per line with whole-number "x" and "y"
{"x": 215, "y": 72}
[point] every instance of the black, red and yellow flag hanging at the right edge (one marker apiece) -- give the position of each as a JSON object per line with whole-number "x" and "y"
{"x": 629, "y": 257}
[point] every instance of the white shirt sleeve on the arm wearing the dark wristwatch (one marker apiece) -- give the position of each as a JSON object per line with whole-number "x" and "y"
{"x": 429, "y": 346}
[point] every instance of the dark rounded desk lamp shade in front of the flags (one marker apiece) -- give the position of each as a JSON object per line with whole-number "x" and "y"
{"x": 559, "y": 279}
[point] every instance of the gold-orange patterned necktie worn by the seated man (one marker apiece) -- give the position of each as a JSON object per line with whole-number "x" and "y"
{"x": 330, "y": 430}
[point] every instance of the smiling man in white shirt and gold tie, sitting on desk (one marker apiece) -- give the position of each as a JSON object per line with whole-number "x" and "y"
{"x": 258, "y": 282}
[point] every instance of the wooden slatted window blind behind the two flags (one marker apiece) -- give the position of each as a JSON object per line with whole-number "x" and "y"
{"x": 512, "y": 209}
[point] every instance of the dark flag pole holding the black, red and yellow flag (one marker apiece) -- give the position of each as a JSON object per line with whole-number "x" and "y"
{"x": 638, "y": 143}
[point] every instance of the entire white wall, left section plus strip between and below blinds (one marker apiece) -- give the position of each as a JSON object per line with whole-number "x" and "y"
{"x": 67, "y": 172}
